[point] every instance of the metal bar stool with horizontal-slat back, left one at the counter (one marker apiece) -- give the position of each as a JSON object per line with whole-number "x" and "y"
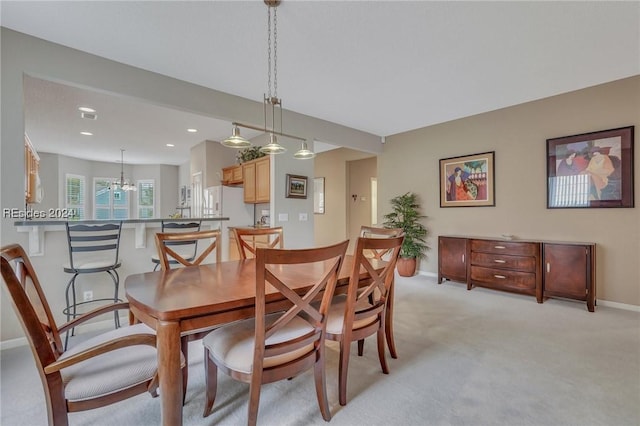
{"x": 92, "y": 249}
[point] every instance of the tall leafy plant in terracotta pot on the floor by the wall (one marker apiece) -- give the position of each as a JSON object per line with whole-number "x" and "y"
{"x": 406, "y": 215}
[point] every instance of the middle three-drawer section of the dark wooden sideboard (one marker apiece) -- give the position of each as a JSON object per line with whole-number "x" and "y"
{"x": 511, "y": 266}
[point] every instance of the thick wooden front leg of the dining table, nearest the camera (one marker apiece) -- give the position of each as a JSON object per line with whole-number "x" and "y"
{"x": 170, "y": 373}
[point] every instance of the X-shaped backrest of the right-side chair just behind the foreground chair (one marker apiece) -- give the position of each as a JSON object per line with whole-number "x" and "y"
{"x": 378, "y": 287}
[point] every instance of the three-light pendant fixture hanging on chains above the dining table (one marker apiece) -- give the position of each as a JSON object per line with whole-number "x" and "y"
{"x": 272, "y": 105}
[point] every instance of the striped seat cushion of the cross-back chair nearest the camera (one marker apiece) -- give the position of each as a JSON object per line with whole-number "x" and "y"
{"x": 232, "y": 345}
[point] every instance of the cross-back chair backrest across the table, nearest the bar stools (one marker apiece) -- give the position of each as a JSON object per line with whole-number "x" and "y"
{"x": 166, "y": 242}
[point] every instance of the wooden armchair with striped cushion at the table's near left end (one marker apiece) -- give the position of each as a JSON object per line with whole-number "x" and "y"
{"x": 102, "y": 370}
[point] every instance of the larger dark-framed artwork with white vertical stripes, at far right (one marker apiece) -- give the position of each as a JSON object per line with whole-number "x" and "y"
{"x": 591, "y": 170}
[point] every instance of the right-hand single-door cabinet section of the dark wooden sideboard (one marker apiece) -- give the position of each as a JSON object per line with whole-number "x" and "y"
{"x": 569, "y": 271}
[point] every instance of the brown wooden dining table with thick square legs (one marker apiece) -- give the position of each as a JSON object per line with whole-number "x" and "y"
{"x": 199, "y": 297}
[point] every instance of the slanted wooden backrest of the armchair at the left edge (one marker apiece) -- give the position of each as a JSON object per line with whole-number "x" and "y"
{"x": 30, "y": 305}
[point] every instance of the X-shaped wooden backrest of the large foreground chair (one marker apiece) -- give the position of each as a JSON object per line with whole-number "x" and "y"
{"x": 286, "y": 270}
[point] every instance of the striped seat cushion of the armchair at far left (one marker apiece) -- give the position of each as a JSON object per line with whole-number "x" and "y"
{"x": 112, "y": 371}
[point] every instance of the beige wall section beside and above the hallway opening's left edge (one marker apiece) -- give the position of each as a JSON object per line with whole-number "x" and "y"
{"x": 331, "y": 227}
